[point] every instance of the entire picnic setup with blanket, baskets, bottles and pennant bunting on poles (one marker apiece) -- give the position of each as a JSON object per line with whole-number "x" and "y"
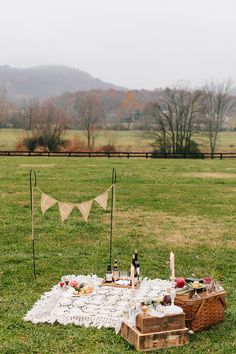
{"x": 148, "y": 313}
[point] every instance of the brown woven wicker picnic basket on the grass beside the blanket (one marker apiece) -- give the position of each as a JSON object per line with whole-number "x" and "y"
{"x": 204, "y": 312}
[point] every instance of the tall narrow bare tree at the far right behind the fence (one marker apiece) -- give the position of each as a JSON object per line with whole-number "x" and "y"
{"x": 218, "y": 104}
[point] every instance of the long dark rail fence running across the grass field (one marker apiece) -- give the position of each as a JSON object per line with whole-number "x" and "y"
{"x": 120, "y": 154}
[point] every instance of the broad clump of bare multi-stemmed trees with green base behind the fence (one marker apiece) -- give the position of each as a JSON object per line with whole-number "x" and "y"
{"x": 176, "y": 117}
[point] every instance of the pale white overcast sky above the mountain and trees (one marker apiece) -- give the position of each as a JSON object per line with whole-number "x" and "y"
{"x": 131, "y": 43}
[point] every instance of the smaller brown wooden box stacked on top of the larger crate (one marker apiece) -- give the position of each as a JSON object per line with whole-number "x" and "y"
{"x": 151, "y": 324}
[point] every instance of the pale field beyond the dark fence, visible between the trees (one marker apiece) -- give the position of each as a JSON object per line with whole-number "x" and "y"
{"x": 124, "y": 140}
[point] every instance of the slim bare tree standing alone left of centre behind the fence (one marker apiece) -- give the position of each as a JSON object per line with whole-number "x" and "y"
{"x": 89, "y": 110}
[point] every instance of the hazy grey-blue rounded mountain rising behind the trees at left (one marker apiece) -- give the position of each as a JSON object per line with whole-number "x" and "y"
{"x": 46, "y": 81}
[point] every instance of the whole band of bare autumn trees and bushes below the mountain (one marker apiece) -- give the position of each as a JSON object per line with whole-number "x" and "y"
{"x": 172, "y": 116}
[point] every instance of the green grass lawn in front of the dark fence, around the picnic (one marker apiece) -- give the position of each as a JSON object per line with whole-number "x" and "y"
{"x": 184, "y": 206}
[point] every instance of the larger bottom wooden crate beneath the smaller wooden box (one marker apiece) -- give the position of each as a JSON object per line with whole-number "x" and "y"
{"x": 152, "y": 341}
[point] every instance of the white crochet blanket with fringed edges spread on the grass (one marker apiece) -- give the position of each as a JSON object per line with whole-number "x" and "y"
{"x": 105, "y": 307}
